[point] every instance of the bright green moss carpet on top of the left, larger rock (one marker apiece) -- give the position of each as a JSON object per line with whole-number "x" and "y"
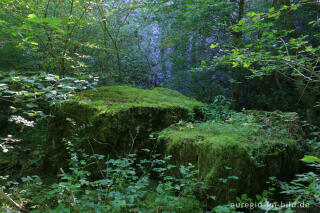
{"x": 118, "y": 98}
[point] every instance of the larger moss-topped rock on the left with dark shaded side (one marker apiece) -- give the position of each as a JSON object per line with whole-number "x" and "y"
{"x": 115, "y": 120}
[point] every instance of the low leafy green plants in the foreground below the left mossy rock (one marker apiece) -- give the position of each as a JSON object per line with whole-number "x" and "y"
{"x": 126, "y": 186}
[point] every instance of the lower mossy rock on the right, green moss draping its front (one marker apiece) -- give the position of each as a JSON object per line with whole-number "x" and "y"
{"x": 235, "y": 157}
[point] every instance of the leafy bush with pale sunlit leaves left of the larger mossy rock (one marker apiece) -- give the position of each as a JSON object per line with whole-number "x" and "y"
{"x": 26, "y": 104}
